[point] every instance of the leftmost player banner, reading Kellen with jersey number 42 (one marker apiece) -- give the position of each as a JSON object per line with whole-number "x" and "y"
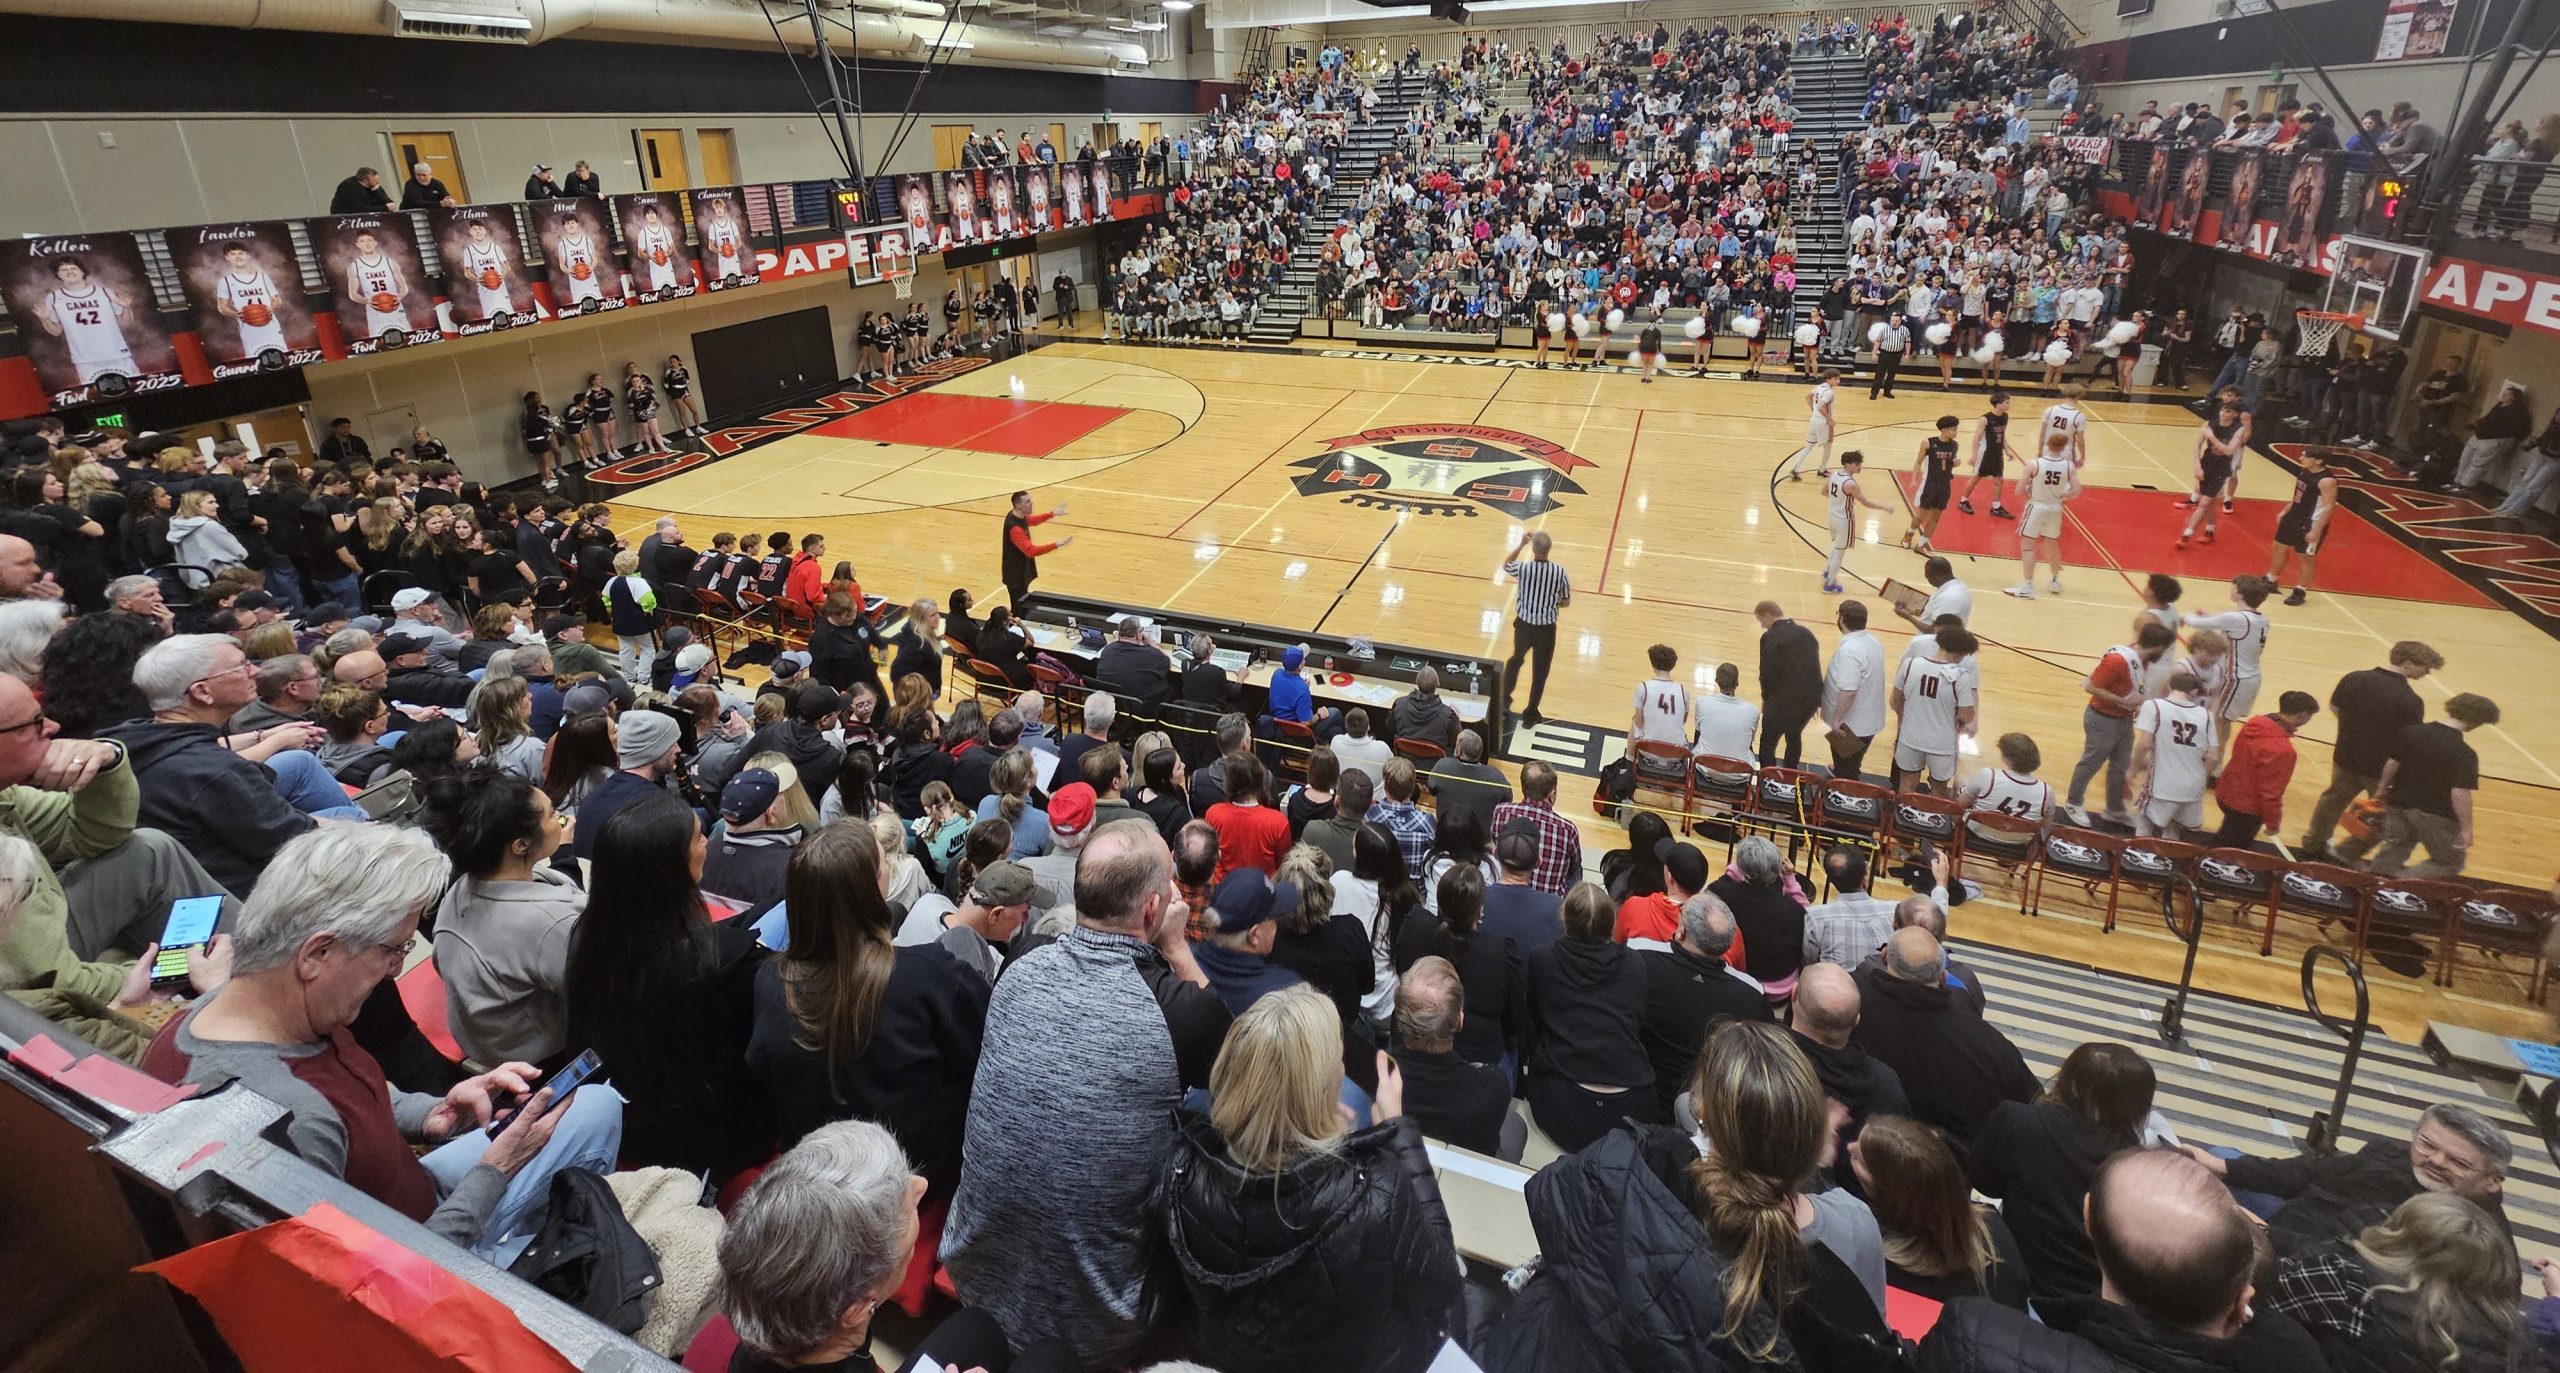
{"x": 86, "y": 316}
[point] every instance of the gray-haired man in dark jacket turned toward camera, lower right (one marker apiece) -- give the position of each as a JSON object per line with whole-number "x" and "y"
{"x": 2331, "y": 1198}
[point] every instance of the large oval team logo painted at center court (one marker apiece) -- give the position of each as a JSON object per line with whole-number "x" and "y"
{"x": 1443, "y": 470}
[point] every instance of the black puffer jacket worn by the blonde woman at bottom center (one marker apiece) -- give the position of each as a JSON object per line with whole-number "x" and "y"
{"x": 1343, "y": 1264}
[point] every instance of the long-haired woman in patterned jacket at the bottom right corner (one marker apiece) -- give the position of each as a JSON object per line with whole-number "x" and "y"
{"x": 2431, "y": 1287}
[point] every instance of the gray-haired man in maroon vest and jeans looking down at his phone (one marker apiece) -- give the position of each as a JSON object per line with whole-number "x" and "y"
{"x": 337, "y": 916}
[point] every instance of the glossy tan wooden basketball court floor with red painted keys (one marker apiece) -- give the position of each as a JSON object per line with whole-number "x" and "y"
{"x": 1379, "y": 498}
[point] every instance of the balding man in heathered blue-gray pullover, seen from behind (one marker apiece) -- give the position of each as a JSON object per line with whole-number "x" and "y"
{"x": 1089, "y": 1046}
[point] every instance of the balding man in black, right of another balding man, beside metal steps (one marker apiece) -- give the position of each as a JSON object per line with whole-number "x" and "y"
{"x": 1955, "y": 1064}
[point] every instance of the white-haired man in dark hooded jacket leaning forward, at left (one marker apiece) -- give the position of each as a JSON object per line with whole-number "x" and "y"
{"x": 232, "y": 803}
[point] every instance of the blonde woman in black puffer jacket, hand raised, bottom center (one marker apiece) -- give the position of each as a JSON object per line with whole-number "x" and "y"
{"x": 1281, "y": 1208}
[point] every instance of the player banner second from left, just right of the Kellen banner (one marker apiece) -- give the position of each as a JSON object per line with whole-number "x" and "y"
{"x": 244, "y": 288}
